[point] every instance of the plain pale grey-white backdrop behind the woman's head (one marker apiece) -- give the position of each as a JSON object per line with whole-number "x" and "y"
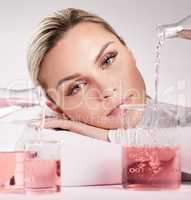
{"x": 134, "y": 20}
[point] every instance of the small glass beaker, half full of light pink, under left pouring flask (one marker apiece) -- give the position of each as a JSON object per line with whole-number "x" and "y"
{"x": 43, "y": 170}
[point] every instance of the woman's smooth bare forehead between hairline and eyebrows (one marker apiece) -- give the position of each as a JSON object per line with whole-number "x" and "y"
{"x": 76, "y": 50}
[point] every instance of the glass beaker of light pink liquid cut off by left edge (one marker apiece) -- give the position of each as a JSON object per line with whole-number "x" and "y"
{"x": 11, "y": 160}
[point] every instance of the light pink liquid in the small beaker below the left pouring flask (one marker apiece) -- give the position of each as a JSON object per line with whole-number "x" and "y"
{"x": 42, "y": 175}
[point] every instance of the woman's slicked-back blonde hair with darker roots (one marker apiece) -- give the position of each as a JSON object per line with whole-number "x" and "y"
{"x": 51, "y": 29}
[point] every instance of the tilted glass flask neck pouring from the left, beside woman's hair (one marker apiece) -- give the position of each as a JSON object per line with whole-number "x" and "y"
{"x": 14, "y": 101}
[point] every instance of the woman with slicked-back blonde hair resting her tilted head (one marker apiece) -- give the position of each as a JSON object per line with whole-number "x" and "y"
{"x": 88, "y": 71}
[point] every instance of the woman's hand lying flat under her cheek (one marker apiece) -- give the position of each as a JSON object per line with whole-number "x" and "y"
{"x": 78, "y": 127}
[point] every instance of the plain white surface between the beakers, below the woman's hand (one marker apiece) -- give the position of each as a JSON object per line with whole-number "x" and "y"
{"x": 87, "y": 161}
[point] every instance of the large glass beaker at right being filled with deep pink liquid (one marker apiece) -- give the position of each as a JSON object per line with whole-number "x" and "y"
{"x": 150, "y": 149}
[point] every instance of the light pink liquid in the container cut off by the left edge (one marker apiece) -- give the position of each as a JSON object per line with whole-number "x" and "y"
{"x": 12, "y": 170}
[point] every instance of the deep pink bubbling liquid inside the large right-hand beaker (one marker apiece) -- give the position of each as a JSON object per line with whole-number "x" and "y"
{"x": 151, "y": 167}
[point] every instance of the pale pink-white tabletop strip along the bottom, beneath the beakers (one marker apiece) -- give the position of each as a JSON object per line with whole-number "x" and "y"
{"x": 113, "y": 192}
